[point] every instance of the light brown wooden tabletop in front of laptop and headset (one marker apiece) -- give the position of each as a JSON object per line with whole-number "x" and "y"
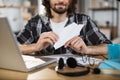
{"x": 49, "y": 73}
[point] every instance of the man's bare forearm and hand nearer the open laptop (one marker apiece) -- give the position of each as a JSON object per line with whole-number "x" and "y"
{"x": 45, "y": 39}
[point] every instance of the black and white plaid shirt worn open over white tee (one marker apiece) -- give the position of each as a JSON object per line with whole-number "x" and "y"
{"x": 39, "y": 24}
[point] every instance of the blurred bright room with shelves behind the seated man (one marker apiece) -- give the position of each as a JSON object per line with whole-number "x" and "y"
{"x": 106, "y": 13}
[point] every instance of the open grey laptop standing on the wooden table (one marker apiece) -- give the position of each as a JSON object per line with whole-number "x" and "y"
{"x": 10, "y": 54}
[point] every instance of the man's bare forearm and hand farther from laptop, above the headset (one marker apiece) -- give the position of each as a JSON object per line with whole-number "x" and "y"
{"x": 78, "y": 45}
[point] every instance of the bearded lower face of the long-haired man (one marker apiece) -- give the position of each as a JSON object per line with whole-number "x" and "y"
{"x": 59, "y": 6}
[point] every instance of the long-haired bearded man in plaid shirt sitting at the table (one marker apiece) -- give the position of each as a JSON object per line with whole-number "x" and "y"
{"x": 39, "y": 34}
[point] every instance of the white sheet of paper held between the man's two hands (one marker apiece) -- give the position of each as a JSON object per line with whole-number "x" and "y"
{"x": 68, "y": 33}
